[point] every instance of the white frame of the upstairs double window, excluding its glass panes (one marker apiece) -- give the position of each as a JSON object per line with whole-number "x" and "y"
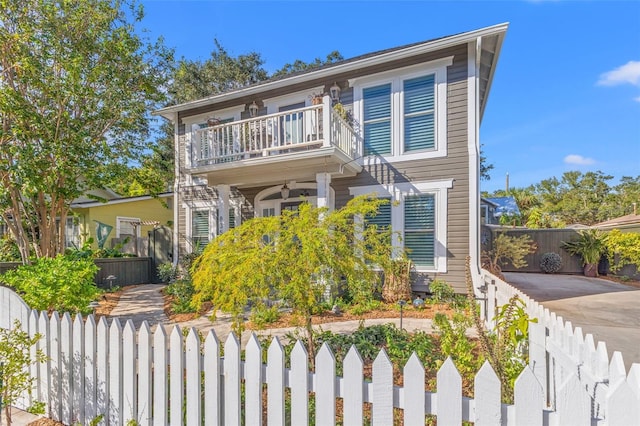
{"x": 396, "y": 78}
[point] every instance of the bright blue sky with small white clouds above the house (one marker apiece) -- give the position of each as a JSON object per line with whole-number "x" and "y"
{"x": 565, "y": 96}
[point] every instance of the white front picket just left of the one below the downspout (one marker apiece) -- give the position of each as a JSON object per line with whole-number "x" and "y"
{"x": 449, "y": 401}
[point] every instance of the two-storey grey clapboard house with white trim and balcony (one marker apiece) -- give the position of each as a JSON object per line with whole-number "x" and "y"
{"x": 410, "y": 134}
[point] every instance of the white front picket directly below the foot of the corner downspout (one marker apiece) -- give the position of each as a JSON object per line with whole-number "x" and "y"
{"x": 487, "y": 397}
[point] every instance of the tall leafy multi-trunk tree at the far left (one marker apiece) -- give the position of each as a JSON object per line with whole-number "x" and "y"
{"x": 76, "y": 84}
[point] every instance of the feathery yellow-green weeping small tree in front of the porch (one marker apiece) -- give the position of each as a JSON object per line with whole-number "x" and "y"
{"x": 293, "y": 257}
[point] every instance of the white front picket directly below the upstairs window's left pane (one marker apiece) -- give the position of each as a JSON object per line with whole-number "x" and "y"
{"x": 382, "y": 410}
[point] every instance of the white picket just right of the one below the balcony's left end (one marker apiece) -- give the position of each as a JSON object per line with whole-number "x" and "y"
{"x": 212, "y": 383}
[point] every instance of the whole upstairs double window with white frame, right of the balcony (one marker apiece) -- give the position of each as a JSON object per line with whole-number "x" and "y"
{"x": 404, "y": 112}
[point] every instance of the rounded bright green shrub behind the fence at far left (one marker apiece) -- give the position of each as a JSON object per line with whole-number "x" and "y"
{"x": 57, "y": 284}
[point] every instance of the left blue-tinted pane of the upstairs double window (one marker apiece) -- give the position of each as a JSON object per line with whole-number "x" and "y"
{"x": 377, "y": 120}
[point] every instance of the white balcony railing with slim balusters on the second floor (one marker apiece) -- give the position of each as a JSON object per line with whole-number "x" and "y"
{"x": 298, "y": 130}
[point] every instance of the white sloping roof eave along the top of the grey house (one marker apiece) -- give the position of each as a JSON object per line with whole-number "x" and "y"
{"x": 499, "y": 29}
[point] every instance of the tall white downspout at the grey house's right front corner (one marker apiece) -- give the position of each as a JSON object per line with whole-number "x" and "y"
{"x": 473, "y": 146}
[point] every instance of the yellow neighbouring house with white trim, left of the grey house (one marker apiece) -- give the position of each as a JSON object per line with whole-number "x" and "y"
{"x": 116, "y": 219}
